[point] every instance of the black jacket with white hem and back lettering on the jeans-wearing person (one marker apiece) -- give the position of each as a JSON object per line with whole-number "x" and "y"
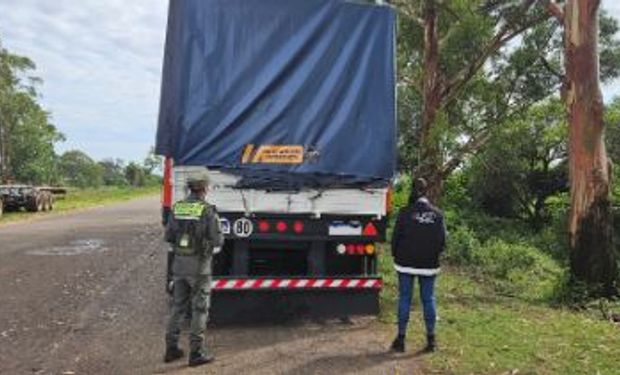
{"x": 418, "y": 239}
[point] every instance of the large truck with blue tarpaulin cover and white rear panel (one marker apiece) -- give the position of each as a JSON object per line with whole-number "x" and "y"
{"x": 289, "y": 107}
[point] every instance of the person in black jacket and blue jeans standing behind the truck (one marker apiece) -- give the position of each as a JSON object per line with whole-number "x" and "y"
{"x": 418, "y": 240}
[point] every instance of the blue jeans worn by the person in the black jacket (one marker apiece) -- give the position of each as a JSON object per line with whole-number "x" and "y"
{"x": 427, "y": 296}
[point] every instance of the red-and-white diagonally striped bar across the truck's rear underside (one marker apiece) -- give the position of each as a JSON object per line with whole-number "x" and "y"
{"x": 295, "y": 284}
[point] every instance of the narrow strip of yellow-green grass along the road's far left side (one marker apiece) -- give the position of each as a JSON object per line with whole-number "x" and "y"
{"x": 84, "y": 198}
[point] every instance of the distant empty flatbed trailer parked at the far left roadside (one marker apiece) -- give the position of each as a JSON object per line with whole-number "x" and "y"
{"x": 31, "y": 198}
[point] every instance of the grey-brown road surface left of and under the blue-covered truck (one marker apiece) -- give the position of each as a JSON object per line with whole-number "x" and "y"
{"x": 82, "y": 293}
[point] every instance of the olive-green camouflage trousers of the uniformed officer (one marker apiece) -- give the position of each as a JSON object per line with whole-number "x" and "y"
{"x": 197, "y": 291}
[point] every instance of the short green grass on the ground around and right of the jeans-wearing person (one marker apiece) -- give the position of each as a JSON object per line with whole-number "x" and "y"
{"x": 481, "y": 332}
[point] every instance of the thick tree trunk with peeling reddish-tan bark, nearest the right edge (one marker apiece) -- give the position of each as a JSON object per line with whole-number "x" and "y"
{"x": 593, "y": 259}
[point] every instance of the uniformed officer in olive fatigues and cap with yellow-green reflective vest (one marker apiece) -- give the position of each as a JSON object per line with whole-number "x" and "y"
{"x": 194, "y": 231}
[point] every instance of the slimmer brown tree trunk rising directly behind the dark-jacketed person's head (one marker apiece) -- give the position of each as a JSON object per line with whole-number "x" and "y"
{"x": 429, "y": 165}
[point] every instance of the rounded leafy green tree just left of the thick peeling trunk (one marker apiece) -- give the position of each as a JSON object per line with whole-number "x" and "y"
{"x": 523, "y": 165}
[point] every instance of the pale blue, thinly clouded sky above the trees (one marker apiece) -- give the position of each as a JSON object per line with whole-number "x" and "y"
{"x": 101, "y": 66}
